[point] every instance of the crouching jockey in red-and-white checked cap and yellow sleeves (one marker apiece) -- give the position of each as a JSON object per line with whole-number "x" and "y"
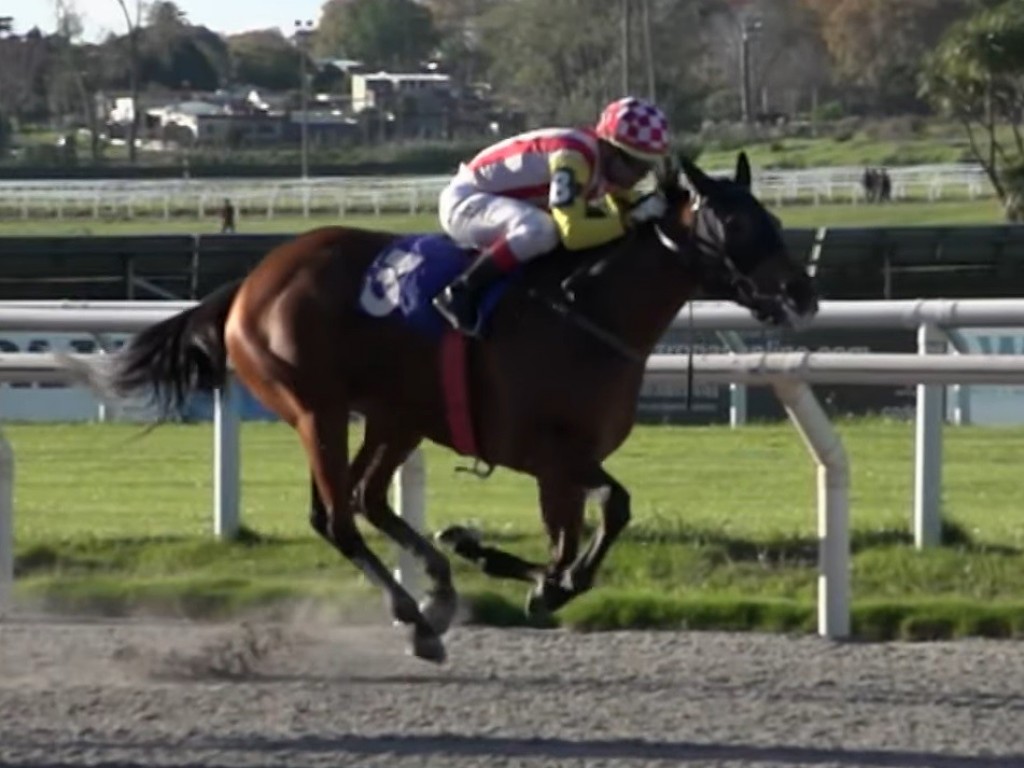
{"x": 526, "y": 195}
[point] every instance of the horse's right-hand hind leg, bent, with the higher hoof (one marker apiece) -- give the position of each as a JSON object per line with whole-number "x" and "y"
{"x": 373, "y": 470}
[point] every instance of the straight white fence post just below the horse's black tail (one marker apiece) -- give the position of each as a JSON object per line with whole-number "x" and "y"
{"x": 227, "y": 478}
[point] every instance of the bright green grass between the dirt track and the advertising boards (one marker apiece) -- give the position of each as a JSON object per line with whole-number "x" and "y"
{"x": 724, "y": 529}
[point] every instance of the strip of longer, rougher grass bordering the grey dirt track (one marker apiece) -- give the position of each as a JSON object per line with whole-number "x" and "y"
{"x": 737, "y": 586}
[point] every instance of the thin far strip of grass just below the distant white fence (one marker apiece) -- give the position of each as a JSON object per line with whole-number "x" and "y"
{"x": 898, "y": 215}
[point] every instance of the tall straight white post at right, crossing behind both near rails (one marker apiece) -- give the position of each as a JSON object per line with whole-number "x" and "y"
{"x": 928, "y": 454}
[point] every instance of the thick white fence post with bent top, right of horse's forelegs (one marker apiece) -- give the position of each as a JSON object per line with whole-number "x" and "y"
{"x": 834, "y": 504}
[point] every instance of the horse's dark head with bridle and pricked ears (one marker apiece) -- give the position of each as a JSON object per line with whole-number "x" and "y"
{"x": 741, "y": 251}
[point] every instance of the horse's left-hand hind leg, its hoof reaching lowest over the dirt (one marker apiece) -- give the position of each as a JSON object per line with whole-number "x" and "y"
{"x": 326, "y": 439}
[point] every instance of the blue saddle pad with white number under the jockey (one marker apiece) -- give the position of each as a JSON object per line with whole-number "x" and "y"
{"x": 406, "y": 277}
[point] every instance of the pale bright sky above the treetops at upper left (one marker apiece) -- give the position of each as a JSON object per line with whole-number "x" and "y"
{"x": 102, "y": 17}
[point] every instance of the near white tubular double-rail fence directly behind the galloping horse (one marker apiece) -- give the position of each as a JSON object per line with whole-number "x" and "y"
{"x": 791, "y": 375}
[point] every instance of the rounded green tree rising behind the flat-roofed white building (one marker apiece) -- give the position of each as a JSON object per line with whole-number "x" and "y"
{"x": 396, "y": 35}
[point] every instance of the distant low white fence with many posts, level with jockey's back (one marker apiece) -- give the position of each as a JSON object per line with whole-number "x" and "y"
{"x": 269, "y": 198}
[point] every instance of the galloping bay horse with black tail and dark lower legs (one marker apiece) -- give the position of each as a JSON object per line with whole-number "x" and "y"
{"x": 552, "y": 390}
